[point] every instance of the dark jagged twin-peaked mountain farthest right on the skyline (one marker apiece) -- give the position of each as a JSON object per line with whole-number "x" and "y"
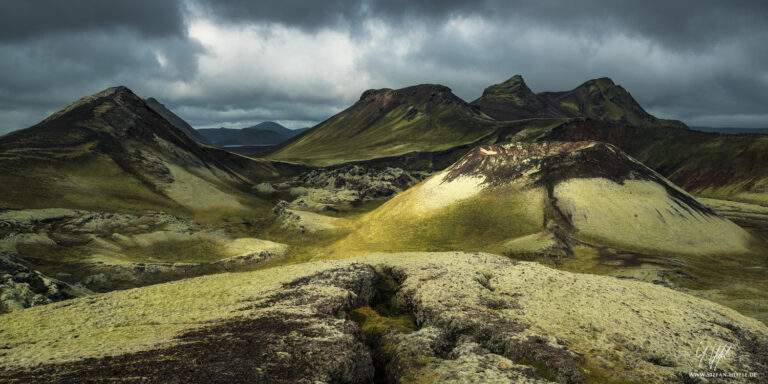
{"x": 599, "y": 99}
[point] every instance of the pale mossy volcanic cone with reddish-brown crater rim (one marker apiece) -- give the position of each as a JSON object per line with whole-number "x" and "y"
{"x": 520, "y": 195}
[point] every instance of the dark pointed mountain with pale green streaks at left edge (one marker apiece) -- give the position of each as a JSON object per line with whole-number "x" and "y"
{"x": 112, "y": 151}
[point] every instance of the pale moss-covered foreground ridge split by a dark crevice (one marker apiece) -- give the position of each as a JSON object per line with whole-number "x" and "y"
{"x": 432, "y": 317}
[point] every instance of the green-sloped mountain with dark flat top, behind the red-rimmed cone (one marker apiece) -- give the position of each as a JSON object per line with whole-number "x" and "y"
{"x": 389, "y": 122}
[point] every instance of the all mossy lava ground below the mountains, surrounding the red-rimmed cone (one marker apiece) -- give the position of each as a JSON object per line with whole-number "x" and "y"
{"x": 277, "y": 294}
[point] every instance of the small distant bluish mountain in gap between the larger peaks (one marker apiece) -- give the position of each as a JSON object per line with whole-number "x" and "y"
{"x": 266, "y": 133}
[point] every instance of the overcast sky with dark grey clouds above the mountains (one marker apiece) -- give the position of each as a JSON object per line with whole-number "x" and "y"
{"x": 237, "y": 63}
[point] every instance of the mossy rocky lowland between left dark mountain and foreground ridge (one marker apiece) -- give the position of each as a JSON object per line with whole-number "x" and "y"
{"x": 48, "y": 255}
